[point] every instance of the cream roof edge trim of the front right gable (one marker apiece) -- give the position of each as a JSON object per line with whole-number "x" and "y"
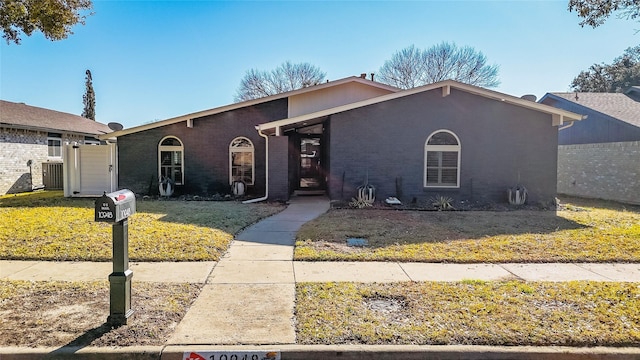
{"x": 559, "y": 116}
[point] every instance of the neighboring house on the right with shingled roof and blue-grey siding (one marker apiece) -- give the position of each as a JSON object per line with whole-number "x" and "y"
{"x": 600, "y": 156}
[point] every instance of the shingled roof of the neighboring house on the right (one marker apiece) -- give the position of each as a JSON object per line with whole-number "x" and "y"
{"x": 617, "y": 105}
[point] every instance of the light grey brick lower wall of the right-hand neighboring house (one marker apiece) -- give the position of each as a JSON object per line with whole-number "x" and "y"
{"x": 608, "y": 171}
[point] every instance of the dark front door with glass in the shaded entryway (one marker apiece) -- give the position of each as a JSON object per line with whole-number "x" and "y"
{"x": 311, "y": 172}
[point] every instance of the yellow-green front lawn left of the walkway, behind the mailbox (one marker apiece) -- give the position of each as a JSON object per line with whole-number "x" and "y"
{"x": 47, "y": 226}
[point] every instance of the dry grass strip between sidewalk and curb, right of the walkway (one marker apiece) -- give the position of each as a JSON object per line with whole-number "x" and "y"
{"x": 469, "y": 313}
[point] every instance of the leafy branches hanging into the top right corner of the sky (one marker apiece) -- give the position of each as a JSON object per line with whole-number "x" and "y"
{"x": 596, "y": 12}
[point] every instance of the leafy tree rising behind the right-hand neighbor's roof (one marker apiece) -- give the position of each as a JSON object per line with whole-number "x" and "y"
{"x": 623, "y": 73}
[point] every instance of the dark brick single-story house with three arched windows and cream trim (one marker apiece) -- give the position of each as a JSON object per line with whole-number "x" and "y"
{"x": 448, "y": 138}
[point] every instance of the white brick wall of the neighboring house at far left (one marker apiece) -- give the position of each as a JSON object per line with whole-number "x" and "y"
{"x": 17, "y": 146}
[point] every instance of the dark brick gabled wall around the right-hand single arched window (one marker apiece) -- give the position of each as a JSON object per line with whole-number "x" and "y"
{"x": 501, "y": 145}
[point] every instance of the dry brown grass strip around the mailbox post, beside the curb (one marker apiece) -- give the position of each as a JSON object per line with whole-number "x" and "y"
{"x": 51, "y": 314}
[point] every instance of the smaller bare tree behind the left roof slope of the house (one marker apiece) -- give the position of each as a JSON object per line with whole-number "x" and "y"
{"x": 286, "y": 77}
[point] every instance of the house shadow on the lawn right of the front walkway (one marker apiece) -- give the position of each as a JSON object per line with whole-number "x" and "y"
{"x": 385, "y": 227}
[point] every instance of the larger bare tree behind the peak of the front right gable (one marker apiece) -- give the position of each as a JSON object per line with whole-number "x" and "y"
{"x": 411, "y": 67}
